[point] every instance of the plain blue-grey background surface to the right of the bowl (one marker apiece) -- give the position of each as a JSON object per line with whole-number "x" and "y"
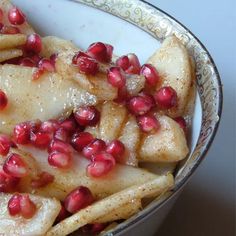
{"x": 207, "y": 204}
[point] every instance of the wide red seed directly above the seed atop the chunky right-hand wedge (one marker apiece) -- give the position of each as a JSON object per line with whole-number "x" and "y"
{"x": 140, "y": 105}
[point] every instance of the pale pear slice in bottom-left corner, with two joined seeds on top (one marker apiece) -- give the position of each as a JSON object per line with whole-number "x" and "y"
{"x": 39, "y": 224}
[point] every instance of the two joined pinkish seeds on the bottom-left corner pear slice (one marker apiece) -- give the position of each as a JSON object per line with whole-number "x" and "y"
{"x": 21, "y": 204}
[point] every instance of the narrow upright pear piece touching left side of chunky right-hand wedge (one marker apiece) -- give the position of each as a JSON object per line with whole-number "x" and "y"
{"x": 130, "y": 136}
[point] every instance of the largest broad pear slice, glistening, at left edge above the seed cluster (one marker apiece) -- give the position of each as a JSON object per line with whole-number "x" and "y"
{"x": 48, "y": 97}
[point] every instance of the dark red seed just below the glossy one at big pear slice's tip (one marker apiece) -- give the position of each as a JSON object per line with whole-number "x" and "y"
{"x": 81, "y": 140}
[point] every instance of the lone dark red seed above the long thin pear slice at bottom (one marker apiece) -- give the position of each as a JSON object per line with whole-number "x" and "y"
{"x": 78, "y": 199}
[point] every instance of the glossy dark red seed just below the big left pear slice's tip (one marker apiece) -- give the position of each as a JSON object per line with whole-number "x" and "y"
{"x": 87, "y": 115}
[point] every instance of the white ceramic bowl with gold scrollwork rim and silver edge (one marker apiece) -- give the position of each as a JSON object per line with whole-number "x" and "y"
{"x": 135, "y": 26}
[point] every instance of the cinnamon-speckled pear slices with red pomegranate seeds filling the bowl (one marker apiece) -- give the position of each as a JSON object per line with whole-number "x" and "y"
{"x": 87, "y": 138}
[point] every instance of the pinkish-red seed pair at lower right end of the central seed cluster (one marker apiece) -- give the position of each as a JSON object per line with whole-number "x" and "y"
{"x": 102, "y": 163}
